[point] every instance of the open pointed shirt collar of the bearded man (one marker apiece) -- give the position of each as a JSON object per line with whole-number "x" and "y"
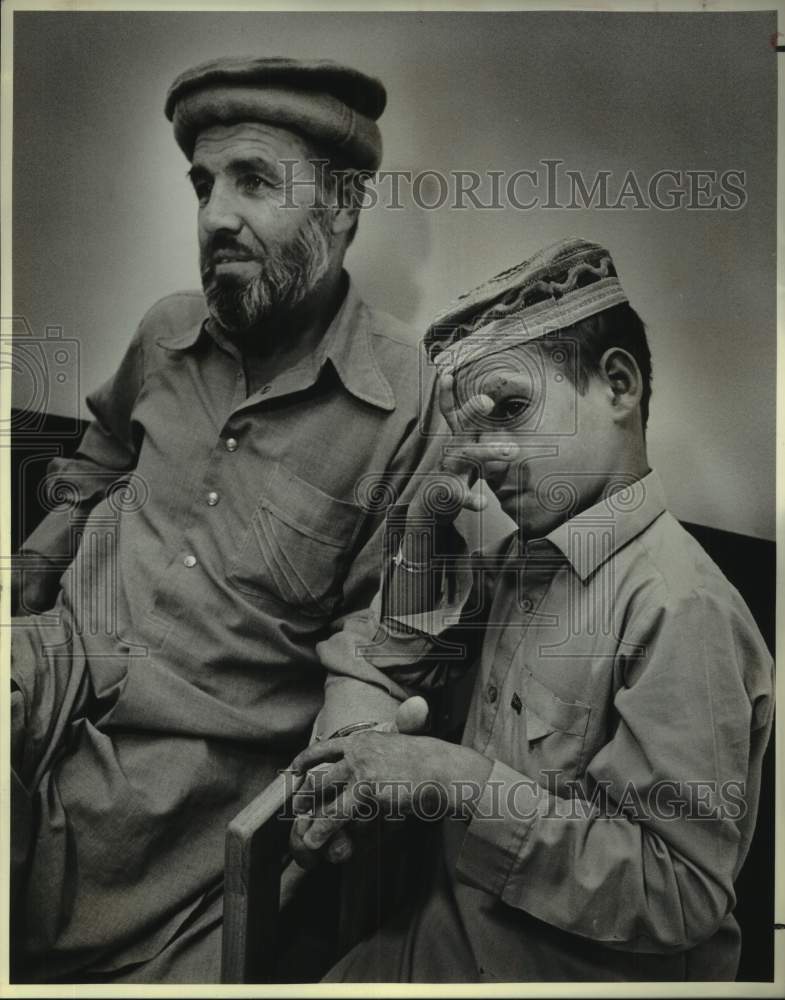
{"x": 346, "y": 343}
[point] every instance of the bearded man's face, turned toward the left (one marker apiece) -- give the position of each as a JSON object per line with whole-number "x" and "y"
{"x": 263, "y": 245}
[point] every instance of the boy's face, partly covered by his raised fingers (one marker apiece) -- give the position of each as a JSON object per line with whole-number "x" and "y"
{"x": 568, "y": 448}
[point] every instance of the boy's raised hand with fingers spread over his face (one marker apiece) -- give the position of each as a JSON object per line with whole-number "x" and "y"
{"x": 465, "y": 459}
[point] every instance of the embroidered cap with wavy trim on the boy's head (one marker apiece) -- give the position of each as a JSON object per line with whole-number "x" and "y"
{"x": 560, "y": 285}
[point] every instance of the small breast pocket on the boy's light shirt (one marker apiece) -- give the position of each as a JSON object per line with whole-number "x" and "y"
{"x": 553, "y": 731}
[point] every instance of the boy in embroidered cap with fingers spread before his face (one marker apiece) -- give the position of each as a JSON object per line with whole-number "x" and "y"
{"x": 604, "y": 795}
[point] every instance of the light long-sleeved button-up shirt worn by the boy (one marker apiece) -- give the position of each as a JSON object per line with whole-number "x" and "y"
{"x": 625, "y": 694}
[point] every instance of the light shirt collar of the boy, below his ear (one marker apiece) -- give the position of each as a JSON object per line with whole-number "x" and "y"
{"x": 595, "y": 535}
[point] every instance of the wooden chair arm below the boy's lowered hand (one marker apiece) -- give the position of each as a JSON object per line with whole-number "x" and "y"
{"x": 256, "y": 856}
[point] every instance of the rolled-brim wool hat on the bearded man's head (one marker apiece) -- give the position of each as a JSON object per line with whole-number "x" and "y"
{"x": 334, "y": 105}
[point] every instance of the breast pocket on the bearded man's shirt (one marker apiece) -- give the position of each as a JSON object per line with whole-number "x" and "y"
{"x": 297, "y": 548}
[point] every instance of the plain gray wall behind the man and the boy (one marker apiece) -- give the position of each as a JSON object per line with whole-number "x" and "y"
{"x": 104, "y": 219}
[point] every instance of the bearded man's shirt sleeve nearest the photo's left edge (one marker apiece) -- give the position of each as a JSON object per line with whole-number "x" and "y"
{"x": 107, "y": 451}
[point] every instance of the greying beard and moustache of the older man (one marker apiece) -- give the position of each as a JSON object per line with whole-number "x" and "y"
{"x": 289, "y": 272}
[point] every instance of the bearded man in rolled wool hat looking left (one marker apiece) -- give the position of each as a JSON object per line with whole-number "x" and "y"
{"x": 220, "y": 542}
